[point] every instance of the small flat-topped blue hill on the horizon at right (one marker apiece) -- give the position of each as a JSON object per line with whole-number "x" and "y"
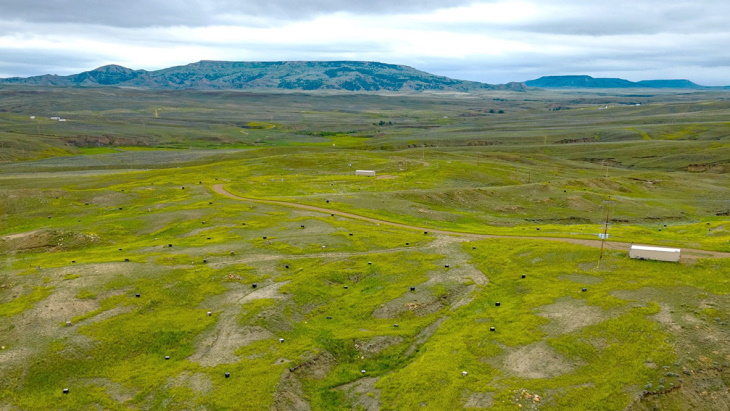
{"x": 590, "y": 82}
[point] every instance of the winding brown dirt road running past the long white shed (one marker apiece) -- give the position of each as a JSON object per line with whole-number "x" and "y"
{"x": 610, "y": 245}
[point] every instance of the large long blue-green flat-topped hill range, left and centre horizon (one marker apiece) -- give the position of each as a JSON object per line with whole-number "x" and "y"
{"x": 288, "y": 75}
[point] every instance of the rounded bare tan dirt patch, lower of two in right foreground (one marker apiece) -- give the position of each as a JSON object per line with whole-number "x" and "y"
{"x": 536, "y": 361}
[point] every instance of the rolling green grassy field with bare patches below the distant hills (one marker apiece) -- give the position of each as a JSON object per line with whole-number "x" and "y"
{"x": 125, "y": 278}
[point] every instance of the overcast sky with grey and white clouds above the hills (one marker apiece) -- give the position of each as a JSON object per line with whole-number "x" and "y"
{"x": 489, "y": 41}
